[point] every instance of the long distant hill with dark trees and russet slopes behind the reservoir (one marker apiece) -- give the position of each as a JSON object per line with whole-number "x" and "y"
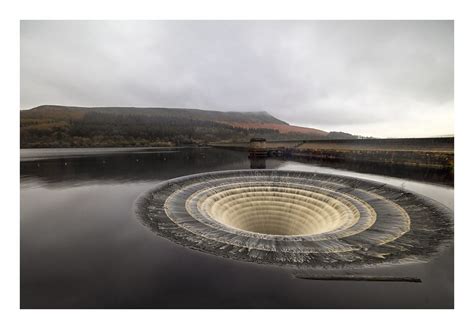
{"x": 67, "y": 126}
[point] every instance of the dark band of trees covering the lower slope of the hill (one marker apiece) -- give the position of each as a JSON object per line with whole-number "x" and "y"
{"x": 96, "y": 129}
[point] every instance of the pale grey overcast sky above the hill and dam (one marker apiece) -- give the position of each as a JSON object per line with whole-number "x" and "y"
{"x": 377, "y": 78}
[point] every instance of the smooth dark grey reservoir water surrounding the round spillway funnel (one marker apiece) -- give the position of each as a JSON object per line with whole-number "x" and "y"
{"x": 81, "y": 247}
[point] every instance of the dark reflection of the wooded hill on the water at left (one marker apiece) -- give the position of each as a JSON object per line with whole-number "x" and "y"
{"x": 152, "y": 165}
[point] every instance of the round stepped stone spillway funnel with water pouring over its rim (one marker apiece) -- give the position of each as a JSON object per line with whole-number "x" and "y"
{"x": 296, "y": 218}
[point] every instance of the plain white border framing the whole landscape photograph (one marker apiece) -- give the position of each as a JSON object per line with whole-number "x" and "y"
{"x": 243, "y": 9}
